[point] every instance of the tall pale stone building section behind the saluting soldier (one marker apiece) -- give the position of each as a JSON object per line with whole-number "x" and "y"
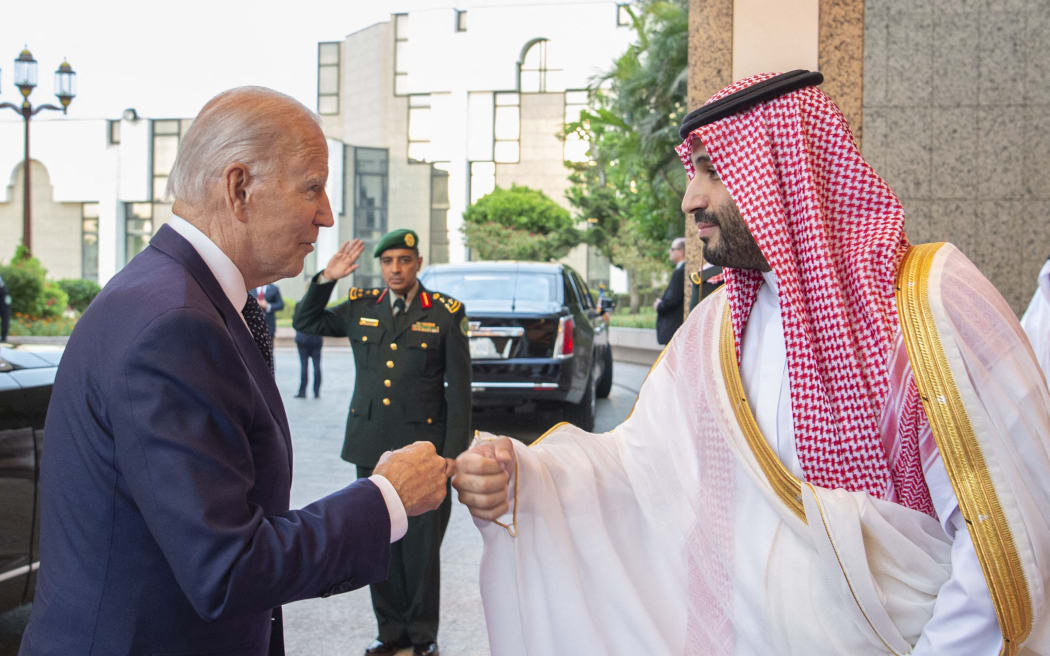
{"x": 438, "y": 108}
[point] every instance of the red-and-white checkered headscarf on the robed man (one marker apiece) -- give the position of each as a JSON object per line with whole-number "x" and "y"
{"x": 833, "y": 232}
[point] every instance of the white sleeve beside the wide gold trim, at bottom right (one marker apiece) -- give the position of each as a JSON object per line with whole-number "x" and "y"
{"x": 964, "y": 620}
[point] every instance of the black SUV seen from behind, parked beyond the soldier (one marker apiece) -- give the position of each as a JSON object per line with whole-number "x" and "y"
{"x": 536, "y": 334}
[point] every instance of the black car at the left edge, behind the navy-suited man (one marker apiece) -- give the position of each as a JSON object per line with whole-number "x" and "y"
{"x": 27, "y": 377}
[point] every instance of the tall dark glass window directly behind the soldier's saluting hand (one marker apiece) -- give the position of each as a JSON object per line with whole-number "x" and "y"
{"x": 370, "y": 209}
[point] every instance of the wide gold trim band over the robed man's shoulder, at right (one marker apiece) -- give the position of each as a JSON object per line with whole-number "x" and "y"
{"x": 960, "y": 451}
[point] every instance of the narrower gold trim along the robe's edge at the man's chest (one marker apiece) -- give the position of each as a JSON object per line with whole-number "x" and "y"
{"x": 787, "y": 485}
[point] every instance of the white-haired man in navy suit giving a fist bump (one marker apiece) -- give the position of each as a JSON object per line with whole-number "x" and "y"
{"x": 167, "y": 462}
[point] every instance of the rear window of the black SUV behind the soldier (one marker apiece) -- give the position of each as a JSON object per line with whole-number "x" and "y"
{"x": 489, "y": 286}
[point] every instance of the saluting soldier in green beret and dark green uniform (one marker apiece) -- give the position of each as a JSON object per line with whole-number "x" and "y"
{"x": 408, "y": 343}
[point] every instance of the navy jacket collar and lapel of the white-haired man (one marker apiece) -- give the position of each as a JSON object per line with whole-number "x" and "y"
{"x": 171, "y": 243}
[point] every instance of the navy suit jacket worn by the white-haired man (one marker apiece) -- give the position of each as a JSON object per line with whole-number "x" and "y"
{"x": 165, "y": 480}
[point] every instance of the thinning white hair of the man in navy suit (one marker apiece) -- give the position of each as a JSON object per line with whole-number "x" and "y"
{"x": 247, "y": 124}
